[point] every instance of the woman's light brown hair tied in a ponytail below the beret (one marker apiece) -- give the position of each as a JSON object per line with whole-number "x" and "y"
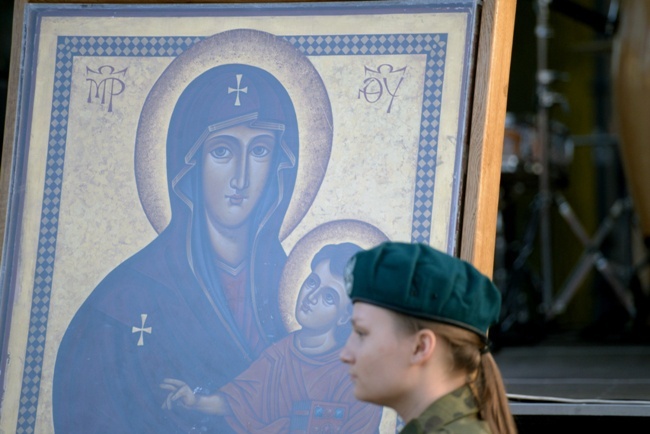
{"x": 483, "y": 375}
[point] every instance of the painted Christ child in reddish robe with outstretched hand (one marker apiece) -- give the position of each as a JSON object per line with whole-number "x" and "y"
{"x": 298, "y": 384}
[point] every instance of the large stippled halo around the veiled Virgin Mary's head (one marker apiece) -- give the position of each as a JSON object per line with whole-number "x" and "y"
{"x": 249, "y": 47}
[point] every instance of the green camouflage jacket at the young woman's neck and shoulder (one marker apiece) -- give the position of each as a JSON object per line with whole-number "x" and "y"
{"x": 454, "y": 413}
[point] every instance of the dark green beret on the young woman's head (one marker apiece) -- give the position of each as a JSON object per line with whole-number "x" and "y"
{"x": 419, "y": 281}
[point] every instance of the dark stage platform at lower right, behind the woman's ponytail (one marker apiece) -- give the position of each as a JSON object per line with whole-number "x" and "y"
{"x": 553, "y": 386}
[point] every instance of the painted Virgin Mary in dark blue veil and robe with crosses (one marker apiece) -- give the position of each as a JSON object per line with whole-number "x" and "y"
{"x": 200, "y": 301}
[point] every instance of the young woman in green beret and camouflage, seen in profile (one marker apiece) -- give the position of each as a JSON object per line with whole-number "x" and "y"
{"x": 419, "y": 342}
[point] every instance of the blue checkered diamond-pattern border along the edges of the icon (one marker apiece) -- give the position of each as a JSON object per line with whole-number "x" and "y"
{"x": 433, "y": 45}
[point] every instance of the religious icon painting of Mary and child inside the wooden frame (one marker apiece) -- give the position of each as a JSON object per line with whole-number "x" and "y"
{"x": 188, "y": 183}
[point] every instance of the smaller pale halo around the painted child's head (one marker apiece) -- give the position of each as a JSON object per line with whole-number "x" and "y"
{"x": 298, "y": 264}
